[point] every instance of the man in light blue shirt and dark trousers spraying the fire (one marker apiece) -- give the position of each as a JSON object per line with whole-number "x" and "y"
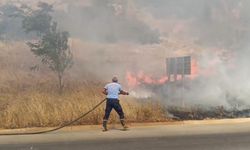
{"x": 112, "y": 90}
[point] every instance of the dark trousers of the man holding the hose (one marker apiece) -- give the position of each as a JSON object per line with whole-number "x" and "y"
{"x": 110, "y": 104}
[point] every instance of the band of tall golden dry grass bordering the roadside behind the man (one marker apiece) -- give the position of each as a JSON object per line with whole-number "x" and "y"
{"x": 40, "y": 109}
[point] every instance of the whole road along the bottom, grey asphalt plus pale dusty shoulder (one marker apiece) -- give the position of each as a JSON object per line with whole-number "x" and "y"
{"x": 228, "y": 135}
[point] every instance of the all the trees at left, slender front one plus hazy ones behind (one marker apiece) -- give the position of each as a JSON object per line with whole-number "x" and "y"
{"x": 50, "y": 44}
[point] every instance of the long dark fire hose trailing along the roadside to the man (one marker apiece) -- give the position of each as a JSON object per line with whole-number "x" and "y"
{"x": 57, "y": 128}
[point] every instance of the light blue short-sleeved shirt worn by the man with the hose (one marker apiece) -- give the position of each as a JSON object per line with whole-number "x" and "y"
{"x": 113, "y": 90}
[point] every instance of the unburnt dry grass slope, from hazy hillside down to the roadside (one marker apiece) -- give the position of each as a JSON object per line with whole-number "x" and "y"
{"x": 30, "y": 98}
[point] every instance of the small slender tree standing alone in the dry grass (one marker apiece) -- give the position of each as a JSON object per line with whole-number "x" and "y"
{"x": 54, "y": 51}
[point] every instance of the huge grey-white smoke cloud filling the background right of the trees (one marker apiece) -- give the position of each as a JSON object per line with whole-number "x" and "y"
{"x": 114, "y": 37}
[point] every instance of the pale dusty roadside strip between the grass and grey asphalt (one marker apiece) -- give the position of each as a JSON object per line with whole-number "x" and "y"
{"x": 137, "y": 130}
